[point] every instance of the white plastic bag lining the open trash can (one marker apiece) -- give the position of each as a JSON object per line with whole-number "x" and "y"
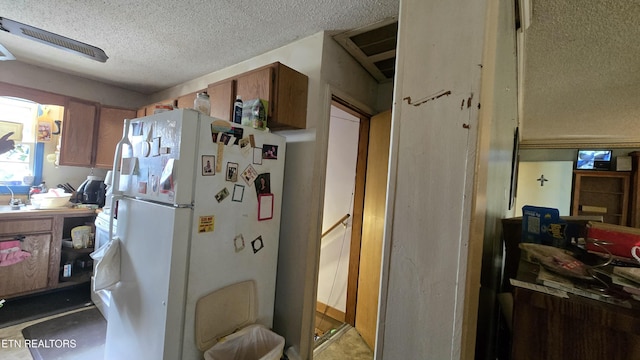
{"x": 254, "y": 342}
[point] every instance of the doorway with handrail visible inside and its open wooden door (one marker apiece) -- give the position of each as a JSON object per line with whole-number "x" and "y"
{"x": 353, "y": 219}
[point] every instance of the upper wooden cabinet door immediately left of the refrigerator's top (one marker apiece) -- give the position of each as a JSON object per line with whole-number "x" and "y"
{"x": 110, "y": 127}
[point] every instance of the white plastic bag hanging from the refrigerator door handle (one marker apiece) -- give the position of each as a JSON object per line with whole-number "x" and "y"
{"x": 107, "y": 267}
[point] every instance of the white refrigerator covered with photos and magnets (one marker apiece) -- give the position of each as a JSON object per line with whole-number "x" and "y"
{"x": 200, "y": 211}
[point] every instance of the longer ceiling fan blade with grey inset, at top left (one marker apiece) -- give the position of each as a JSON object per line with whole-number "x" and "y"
{"x": 55, "y": 40}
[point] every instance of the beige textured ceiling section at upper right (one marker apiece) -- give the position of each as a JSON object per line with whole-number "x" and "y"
{"x": 582, "y": 67}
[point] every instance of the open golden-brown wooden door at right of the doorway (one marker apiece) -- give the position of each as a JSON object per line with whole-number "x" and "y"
{"x": 373, "y": 227}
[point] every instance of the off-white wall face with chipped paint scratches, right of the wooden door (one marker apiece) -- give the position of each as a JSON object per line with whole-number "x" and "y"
{"x": 431, "y": 184}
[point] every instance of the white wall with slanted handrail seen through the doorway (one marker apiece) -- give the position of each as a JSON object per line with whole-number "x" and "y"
{"x": 338, "y": 201}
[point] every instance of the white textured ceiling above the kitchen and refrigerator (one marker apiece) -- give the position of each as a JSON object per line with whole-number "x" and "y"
{"x": 153, "y": 45}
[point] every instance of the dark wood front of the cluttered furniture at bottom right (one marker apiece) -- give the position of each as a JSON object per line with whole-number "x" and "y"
{"x": 549, "y": 327}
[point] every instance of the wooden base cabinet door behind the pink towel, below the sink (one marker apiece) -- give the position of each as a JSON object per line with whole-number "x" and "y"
{"x": 30, "y": 274}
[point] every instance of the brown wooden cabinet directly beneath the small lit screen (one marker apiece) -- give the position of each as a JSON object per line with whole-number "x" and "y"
{"x": 604, "y": 193}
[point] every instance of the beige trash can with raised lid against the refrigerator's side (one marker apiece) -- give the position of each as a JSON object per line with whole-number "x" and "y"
{"x": 218, "y": 316}
